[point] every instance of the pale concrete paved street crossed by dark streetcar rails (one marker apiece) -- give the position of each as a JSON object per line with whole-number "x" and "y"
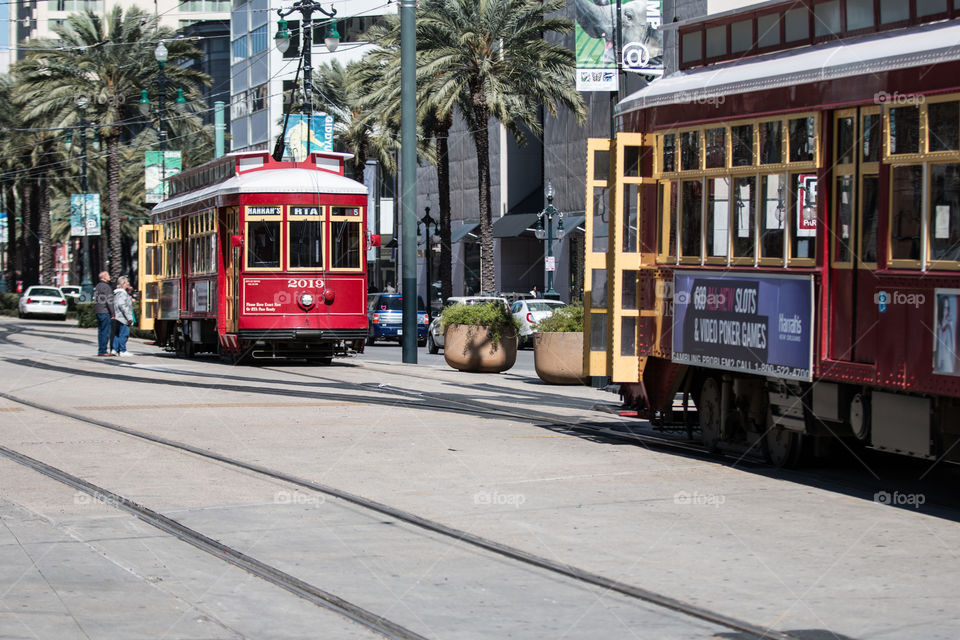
{"x": 504, "y": 457}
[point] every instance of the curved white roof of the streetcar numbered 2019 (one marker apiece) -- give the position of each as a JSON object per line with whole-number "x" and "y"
{"x": 269, "y": 181}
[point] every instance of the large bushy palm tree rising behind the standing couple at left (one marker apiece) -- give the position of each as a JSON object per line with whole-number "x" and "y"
{"x": 107, "y": 60}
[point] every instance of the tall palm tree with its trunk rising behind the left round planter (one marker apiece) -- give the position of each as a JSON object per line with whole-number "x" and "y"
{"x": 489, "y": 59}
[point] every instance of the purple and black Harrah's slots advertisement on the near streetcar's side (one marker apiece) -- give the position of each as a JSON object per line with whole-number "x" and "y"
{"x": 742, "y": 322}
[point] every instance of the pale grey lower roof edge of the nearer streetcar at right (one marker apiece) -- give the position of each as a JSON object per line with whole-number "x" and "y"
{"x": 878, "y": 53}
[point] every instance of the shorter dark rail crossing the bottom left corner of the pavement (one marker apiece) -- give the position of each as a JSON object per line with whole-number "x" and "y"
{"x": 271, "y": 574}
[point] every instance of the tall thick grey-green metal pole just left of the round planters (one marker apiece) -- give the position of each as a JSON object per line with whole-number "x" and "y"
{"x": 408, "y": 173}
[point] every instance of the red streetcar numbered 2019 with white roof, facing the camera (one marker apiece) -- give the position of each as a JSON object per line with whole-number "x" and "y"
{"x": 254, "y": 257}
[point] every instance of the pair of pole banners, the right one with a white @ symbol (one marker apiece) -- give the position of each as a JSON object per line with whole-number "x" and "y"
{"x": 594, "y": 31}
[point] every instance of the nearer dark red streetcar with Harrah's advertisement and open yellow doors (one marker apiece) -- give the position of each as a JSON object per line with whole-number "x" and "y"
{"x": 774, "y": 236}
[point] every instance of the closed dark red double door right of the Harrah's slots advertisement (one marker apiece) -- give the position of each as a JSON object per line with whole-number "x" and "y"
{"x": 853, "y": 233}
